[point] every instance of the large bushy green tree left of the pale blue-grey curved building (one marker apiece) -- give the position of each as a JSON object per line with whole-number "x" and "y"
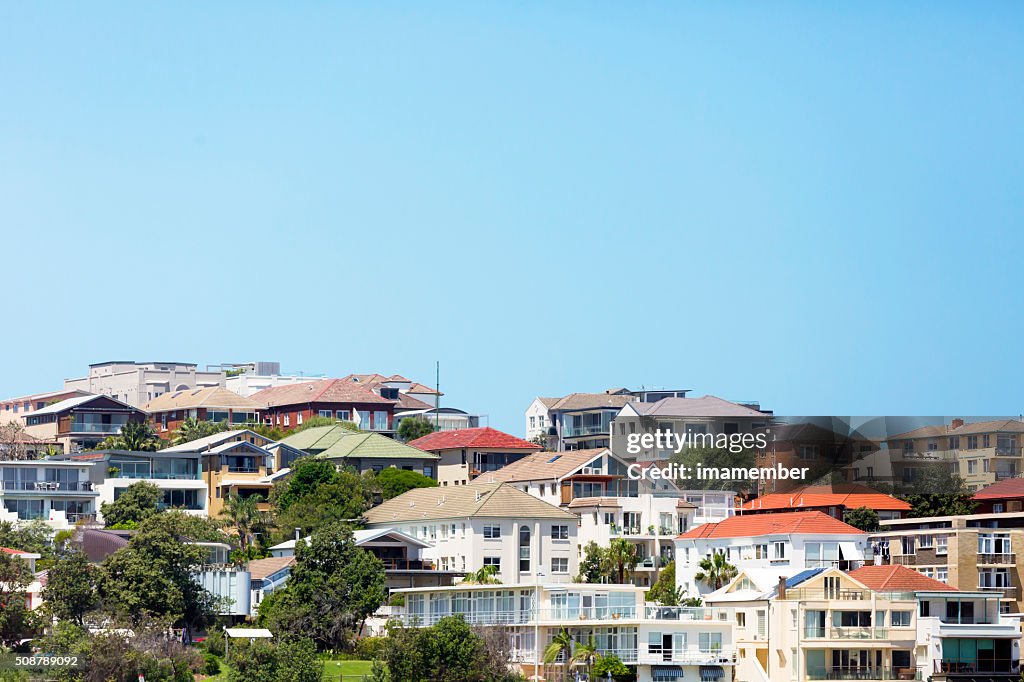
{"x": 153, "y": 575}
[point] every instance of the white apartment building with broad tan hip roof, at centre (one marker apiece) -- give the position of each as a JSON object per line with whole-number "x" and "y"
{"x": 471, "y": 527}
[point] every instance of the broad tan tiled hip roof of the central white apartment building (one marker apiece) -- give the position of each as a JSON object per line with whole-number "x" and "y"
{"x": 476, "y": 500}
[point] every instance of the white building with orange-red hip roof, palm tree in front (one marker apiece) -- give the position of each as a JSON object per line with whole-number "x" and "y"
{"x": 786, "y": 543}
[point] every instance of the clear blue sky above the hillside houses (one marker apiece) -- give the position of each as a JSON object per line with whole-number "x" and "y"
{"x": 818, "y": 205}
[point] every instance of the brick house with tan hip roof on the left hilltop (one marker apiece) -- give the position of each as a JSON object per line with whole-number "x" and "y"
{"x": 214, "y": 404}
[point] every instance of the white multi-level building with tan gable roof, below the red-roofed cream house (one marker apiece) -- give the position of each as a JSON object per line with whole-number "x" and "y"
{"x": 595, "y": 486}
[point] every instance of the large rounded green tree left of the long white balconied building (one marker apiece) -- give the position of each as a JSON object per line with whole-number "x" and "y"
{"x": 333, "y": 588}
